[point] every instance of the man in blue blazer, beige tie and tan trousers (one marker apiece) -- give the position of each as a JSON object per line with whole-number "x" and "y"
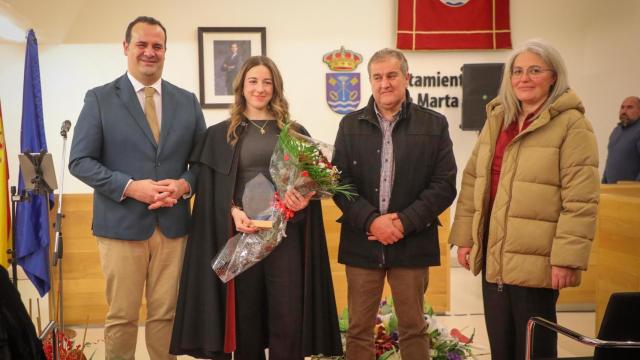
{"x": 131, "y": 145}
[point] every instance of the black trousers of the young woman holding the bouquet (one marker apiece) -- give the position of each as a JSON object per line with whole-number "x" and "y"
{"x": 269, "y": 303}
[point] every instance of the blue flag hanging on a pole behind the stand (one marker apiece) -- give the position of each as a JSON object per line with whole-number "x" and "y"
{"x": 32, "y": 217}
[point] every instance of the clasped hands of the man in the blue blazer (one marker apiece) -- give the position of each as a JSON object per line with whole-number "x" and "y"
{"x": 163, "y": 193}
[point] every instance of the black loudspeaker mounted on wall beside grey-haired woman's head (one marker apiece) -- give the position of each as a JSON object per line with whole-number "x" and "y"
{"x": 480, "y": 84}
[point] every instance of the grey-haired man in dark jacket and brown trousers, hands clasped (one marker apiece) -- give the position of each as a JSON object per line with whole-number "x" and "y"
{"x": 399, "y": 158}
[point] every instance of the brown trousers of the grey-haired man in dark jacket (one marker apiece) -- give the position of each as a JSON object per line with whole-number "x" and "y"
{"x": 408, "y": 286}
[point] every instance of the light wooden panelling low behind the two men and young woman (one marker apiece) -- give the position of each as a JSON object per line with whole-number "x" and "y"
{"x": 83, "y": 285}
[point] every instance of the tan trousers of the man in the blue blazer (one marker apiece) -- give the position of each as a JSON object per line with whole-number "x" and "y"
{"x": 131, "y": 267}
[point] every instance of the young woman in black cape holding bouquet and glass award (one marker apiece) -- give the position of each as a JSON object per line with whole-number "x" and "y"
{"x": 285, "y": 302}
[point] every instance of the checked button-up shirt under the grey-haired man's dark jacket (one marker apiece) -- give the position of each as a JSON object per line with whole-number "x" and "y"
{"x": 387, "y": 168}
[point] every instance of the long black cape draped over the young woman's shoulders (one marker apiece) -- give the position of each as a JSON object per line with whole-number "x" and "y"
{"x": 199, "y": 326}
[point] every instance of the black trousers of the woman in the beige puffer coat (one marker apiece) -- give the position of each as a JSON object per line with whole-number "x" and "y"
{"x": 506, "y": 313}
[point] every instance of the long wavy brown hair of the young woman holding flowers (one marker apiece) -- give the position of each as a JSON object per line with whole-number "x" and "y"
{"x": 278, "y": 105}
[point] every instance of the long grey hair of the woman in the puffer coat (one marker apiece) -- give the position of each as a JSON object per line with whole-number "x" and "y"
{"x": 551, "y": 56}
